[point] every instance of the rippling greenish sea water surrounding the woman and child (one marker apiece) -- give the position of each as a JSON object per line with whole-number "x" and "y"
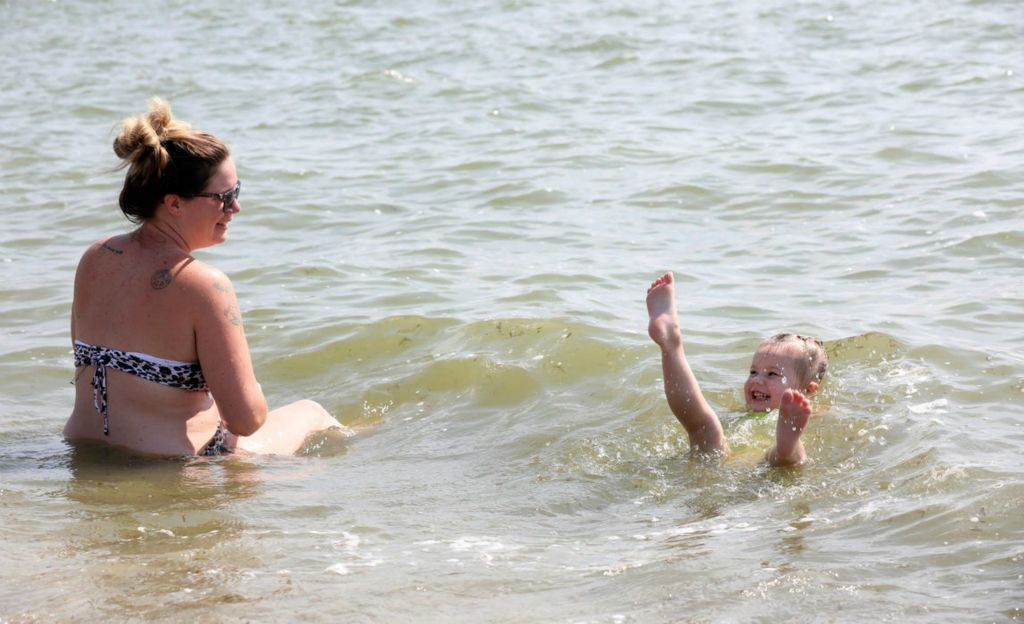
{"x": 450, "y": 219}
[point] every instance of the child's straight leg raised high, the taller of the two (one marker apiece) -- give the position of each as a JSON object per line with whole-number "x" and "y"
{"x": 681, "y": 390}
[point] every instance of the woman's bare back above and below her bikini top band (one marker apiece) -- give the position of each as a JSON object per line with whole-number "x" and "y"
{"x": 133, "y": 294}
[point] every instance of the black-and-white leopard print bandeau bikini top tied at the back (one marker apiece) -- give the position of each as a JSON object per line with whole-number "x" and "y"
{"x": 186, "y": 376}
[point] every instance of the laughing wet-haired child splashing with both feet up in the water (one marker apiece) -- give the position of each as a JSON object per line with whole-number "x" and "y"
{"x": 785, "y": 371}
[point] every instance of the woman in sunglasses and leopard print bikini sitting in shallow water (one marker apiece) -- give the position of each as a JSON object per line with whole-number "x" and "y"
{"x": 158, "y": 332}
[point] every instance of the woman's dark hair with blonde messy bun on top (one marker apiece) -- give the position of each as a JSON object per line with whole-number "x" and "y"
{"x": 164, "y": 156}
